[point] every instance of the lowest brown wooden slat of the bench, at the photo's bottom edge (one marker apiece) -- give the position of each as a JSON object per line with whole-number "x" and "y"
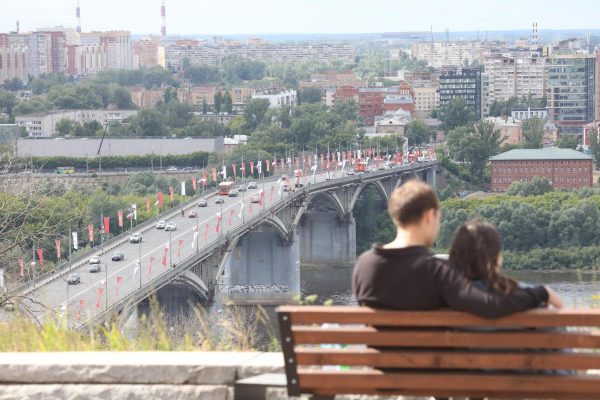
{"x": 491, "y": 384}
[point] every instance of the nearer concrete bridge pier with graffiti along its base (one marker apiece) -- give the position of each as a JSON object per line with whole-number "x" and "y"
{"x": 263, "y": 267}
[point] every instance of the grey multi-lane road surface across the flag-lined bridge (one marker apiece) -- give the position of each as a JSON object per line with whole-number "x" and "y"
{"x": 119, "y": 278}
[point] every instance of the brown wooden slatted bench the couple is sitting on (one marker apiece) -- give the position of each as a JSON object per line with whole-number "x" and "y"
{"x": 359, "y": 350}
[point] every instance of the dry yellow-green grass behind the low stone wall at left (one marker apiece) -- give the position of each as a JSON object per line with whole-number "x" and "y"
{"x": 232, "y": 329}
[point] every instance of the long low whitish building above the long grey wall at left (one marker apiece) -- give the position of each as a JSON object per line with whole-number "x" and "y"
{"x": 44, "y": 124}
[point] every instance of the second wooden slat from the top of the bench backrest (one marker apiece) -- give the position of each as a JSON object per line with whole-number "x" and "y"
{"x": 418, "y": 338}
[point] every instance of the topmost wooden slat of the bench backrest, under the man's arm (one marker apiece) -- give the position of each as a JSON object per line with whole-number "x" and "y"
{"x": 539, "y": 318}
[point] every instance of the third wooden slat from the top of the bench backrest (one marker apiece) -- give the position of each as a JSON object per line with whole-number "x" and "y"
{"x": 446, "y": 359}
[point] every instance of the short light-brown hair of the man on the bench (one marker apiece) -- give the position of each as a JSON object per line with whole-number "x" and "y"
{"x": 409, "y": 202}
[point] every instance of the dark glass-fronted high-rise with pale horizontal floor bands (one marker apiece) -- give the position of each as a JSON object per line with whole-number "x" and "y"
{"x": 462, "y": 83}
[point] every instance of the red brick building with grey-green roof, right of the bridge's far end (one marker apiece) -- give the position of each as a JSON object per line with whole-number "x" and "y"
{"x": 564, "y": 168}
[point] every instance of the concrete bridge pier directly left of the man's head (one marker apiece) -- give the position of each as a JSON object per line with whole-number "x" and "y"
{"x": 326, "y": 239}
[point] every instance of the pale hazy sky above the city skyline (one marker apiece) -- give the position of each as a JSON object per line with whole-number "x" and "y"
{"x": 302, "y": 16}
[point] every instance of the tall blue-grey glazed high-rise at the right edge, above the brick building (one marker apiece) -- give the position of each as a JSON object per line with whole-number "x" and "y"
{"x": 570, "y": 89}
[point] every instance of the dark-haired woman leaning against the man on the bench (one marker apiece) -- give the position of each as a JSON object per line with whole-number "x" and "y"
{"x": 477, "y": 251}
